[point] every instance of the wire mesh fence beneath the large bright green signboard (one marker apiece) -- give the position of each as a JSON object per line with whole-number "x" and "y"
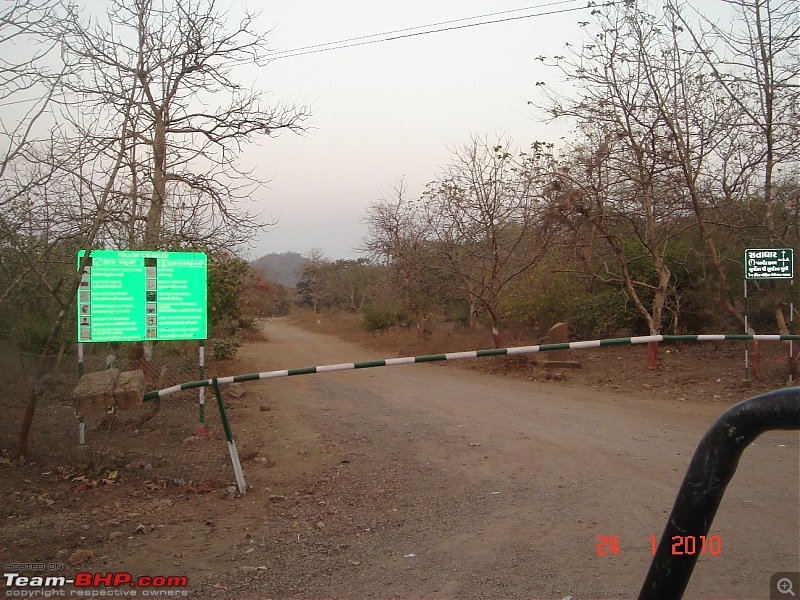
{"x": 160, "y": 440}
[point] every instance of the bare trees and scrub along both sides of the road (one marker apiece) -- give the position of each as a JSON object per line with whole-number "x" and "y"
{"x": 683, "y": 153}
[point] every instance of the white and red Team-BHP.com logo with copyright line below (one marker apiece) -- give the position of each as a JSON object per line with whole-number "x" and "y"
{"x": 114, "y": 584}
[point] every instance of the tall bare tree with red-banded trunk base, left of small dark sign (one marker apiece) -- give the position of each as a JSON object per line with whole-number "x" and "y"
{"x": 618, "y": 178}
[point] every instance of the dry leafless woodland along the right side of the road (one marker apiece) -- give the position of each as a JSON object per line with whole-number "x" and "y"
{"x": 684, "y": 154}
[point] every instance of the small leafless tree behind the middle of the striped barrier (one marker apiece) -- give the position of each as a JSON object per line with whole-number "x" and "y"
{"x": 486, "y": 215}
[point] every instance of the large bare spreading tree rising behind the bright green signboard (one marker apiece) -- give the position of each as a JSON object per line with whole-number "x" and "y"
{"x": 183, "y": 183}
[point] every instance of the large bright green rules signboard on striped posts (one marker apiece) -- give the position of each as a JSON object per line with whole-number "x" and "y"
{"x": 128, "y": 296}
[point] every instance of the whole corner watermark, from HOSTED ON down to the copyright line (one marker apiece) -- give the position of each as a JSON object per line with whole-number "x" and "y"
{"x": 53, "y": 580}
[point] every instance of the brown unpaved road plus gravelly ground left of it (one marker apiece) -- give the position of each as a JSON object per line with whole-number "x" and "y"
{"x": 418, "y": 481}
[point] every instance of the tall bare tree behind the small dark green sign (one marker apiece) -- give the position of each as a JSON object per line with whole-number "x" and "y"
{"x": 756, "y": 67}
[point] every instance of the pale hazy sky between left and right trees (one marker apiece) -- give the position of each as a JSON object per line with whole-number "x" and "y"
{"x": 392, "y": 110}
